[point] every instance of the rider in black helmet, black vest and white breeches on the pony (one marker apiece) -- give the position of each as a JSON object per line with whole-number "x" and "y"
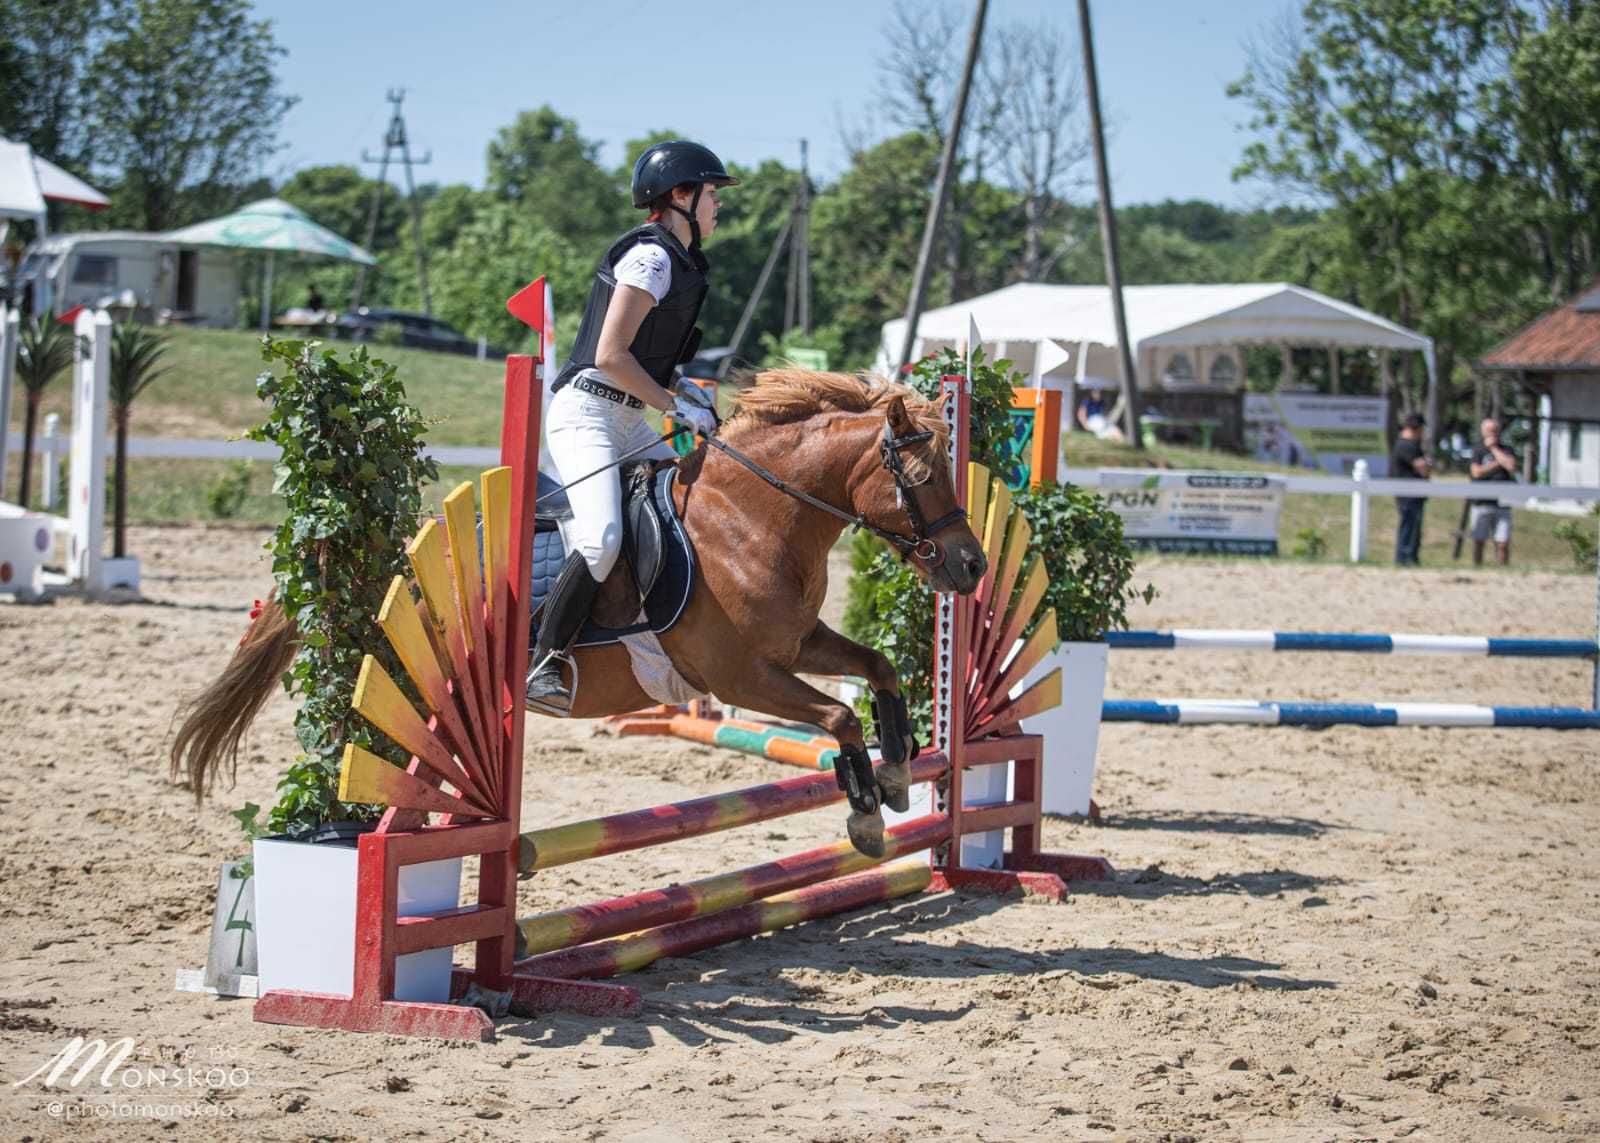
{"x": 638, "y": 327}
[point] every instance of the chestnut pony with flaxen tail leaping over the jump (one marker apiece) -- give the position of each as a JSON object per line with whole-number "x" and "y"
{"x": 871, "y": 451}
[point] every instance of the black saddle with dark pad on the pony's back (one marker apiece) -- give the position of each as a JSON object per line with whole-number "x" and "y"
{"x": 655, "y": 572}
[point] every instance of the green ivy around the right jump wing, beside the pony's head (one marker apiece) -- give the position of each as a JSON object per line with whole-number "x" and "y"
{"x": 1087, "y": 558}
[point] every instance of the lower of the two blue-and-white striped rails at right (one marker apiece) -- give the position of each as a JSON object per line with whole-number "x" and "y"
{"x": 1201, "y": 712}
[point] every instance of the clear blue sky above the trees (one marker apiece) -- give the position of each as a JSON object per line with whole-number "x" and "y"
{"x": 750, "y": 79}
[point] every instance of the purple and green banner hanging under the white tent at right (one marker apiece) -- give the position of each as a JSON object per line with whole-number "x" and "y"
{"x": 1314, "y": 431}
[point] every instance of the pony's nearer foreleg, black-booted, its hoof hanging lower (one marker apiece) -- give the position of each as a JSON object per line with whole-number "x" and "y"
{"x": 777, "y": 692}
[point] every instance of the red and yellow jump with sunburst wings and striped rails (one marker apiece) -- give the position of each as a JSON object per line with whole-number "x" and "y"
{"x": 458, "y": 627}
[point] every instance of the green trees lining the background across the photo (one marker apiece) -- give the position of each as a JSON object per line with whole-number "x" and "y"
{"x": 1433, "y": 161}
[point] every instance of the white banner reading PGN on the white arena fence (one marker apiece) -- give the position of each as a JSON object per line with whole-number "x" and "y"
{"x": 1225, "y": 513}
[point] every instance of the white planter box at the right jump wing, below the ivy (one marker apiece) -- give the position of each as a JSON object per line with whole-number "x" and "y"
{"x": 1073, "y": 729}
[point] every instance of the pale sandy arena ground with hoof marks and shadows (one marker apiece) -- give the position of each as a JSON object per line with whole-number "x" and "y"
{"x": 1314, "y": 936}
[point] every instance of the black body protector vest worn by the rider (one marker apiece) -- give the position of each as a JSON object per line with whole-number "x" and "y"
{"x": 668, "y": 335}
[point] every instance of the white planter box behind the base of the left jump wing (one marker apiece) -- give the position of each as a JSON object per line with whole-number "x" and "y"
{"x": 306, "y": 920}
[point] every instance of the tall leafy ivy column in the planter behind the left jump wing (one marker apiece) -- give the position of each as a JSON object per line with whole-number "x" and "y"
{"x": 351, "y": 475}
